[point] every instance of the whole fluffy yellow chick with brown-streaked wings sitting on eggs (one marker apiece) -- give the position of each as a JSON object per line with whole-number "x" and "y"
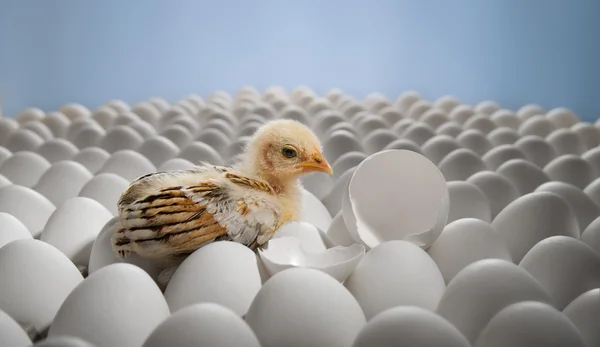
{"x": 168, "y": 215}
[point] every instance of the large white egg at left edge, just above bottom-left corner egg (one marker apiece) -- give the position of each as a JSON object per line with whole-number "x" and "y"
{"x": 36, "y": 279}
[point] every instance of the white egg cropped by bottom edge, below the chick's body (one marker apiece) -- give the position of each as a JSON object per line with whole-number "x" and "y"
{"x": 206, "y": 324}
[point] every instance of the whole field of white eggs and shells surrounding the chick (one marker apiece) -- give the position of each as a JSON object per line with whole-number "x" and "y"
{"x": 445, "y": 223}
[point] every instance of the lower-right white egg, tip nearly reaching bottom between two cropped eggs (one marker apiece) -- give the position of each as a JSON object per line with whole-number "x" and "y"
{"x": 482, "y": 289}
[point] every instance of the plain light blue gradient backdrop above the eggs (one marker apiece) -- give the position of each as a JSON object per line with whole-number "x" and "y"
{"x": 511, "y": 51}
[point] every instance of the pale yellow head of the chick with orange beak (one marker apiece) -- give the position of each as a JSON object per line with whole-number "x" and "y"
{"x": 285, "y": 149}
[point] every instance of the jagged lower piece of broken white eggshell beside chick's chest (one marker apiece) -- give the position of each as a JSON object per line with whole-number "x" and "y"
{"x": 288, "y": 252}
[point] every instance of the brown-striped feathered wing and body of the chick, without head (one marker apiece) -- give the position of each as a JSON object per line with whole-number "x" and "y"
{"x": 177, "y": 213}
